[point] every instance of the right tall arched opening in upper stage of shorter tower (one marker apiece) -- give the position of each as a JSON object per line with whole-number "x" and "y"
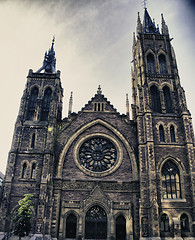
{"x": 46, "y": 104}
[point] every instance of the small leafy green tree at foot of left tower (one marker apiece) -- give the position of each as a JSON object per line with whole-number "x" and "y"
{"x": 22, "y": 217}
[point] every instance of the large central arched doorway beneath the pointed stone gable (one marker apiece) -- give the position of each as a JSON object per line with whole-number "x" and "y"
{"x": 96, "y": 223}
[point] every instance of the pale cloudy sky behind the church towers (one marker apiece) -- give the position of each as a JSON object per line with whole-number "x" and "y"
{"x": 93, "y": 45}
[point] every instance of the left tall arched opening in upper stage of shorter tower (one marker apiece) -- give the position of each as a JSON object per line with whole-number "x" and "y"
{"x": 32, "y": 104}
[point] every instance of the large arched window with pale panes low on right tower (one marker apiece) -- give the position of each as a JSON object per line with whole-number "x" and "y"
{"x": 171, "y": 186}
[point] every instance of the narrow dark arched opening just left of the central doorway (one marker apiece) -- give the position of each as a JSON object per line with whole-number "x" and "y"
{"x": 71, "y": 226}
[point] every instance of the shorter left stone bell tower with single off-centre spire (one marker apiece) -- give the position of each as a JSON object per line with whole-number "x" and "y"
{"x": 31, "y": 158}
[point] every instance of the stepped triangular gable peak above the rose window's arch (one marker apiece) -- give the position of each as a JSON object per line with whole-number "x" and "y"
{"x": 99, "y": 104}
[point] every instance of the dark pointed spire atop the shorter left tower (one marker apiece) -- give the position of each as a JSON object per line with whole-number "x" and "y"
{"x": 49, "y": 62}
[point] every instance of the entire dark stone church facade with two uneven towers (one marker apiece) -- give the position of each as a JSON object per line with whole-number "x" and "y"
{"x": 97, "y": 174}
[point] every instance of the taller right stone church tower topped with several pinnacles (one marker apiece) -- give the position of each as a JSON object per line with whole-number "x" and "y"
{"x": 165, "y": 135}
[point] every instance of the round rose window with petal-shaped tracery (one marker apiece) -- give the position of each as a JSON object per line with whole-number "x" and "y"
{"x": 97, "y": 154}
